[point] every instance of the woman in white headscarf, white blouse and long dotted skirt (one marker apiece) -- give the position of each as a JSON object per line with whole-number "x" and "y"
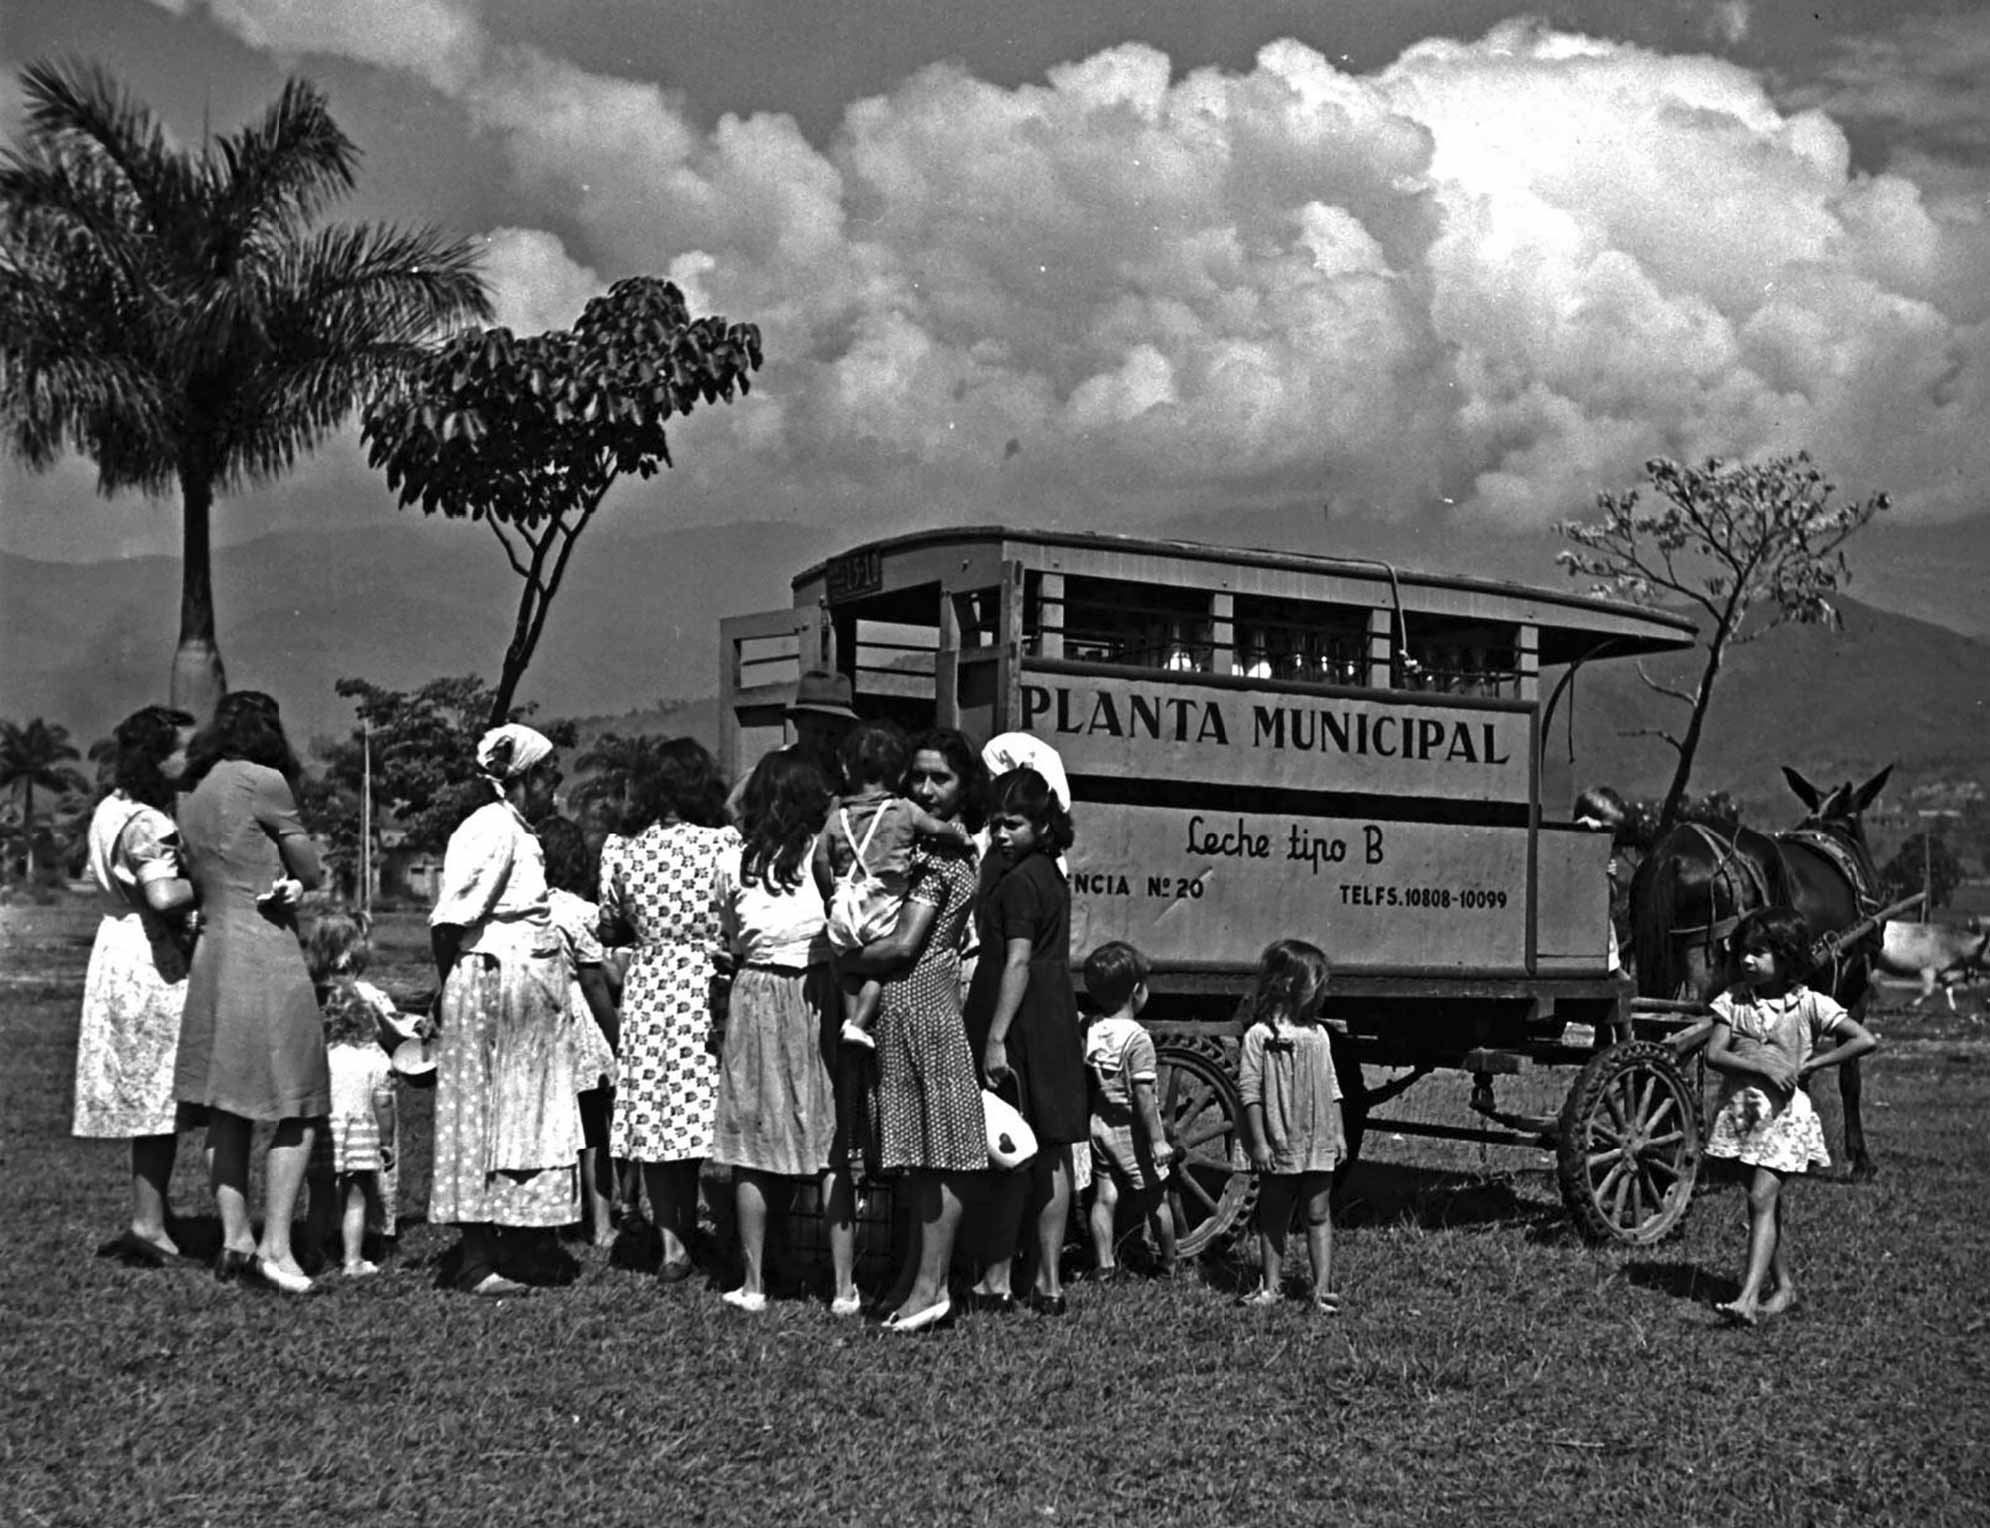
{"x": 508, "y": 1131}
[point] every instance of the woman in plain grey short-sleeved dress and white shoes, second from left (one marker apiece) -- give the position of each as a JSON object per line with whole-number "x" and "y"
{"x": 252, "y": 1044}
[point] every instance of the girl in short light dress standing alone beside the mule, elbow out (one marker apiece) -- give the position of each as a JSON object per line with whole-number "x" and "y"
{"x": 1766, "y": 1034}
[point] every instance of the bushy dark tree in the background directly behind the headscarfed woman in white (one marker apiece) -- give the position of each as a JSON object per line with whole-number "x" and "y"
{"x": 423, "y": 763}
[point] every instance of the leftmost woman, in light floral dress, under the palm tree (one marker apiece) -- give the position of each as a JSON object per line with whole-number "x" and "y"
{"x": 138, "y": 974}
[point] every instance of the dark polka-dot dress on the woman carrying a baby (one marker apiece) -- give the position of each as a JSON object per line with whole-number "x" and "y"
{"x": 928, "y": 1097}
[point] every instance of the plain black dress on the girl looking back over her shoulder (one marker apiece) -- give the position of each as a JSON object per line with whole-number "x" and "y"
{"x": 1046, "y": 1044}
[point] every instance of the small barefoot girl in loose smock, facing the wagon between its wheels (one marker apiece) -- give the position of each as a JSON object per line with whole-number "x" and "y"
{"x": 1293, "y": 1115}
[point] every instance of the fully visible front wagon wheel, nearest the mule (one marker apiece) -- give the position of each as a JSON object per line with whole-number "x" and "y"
{"x": 1629, "y": 1145}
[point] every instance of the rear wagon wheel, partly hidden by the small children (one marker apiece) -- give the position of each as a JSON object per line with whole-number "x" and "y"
{"x": 1203, "y": 1115}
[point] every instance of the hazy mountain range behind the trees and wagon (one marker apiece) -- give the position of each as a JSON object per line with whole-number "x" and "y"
{"x": 632, "y": 646}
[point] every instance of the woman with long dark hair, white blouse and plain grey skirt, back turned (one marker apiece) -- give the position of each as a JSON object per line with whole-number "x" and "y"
{"x": 777, "y": 1097}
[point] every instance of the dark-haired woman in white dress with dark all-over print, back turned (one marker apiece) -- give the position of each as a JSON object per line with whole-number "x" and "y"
{"x": 658, "y": 896}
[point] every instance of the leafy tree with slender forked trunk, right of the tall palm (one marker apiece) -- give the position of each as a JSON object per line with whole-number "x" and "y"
{"x": 530, "y": 435}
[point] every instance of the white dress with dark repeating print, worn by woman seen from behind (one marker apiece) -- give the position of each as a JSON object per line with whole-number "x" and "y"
{"x": 658, "y": 894}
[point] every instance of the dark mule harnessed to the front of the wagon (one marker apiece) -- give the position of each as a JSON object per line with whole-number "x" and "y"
{"x": 1698, "y": 882}
